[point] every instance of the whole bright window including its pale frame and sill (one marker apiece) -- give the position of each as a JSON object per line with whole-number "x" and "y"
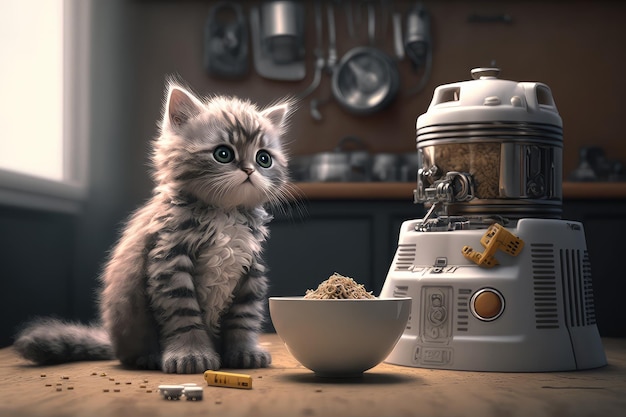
{"x": 43, "y": 45}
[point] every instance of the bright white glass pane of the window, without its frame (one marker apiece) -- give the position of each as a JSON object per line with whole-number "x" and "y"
{"x": 31, "y": 44}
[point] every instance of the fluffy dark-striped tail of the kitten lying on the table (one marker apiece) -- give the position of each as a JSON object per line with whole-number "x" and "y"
{"x": 51, "y": 341}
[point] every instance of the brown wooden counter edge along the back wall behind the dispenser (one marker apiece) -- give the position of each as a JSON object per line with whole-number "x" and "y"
{"x": 404, "y": 190}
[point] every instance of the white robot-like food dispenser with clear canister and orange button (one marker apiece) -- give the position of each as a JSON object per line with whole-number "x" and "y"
{"x": 499, "y": 282}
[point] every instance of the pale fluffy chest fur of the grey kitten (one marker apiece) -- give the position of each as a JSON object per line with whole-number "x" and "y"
{"x": 221, "y": 245}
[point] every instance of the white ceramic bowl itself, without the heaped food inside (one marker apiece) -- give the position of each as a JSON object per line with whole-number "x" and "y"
{"x": 339, "y": 338}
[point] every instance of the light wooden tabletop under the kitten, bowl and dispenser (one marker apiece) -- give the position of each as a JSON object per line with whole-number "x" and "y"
{"x": 287, "y": 389}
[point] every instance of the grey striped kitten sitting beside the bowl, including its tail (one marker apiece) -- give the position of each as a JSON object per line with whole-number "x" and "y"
{"x": 184, "y": 289}
